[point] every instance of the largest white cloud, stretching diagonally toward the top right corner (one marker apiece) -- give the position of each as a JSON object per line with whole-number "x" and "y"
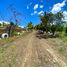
{"x": 58, "y": 7}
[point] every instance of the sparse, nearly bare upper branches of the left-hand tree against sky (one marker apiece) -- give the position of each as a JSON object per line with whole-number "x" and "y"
{"x": 15, "y": 15}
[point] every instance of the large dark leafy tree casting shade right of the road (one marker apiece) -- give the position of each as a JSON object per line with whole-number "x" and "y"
{"x": 49, "y": 21}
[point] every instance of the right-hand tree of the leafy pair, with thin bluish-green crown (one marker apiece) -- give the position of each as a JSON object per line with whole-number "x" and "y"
{"x": 57, "y": 22}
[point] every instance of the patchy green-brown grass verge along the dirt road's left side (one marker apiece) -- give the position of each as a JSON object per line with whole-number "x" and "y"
{"x": 8, "y": 52}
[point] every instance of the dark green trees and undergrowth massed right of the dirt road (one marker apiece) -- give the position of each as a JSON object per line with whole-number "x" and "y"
{"x": 52, "y": 25}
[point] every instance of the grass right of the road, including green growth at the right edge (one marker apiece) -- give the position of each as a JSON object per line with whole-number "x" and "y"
{"x": 60, "y": 44}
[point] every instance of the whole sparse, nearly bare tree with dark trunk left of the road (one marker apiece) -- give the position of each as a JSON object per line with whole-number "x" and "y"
{"x": 14, "y": 18}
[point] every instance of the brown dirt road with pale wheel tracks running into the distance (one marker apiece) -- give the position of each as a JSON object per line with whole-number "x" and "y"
{"x": 31, "y": 51}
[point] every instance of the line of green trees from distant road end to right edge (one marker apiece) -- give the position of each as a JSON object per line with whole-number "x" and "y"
{"x": 50, "y": 23}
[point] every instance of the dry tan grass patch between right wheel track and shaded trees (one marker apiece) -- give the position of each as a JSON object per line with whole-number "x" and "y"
{"x": 60, "y": 46}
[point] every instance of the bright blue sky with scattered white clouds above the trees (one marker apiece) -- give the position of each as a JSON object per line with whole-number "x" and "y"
{"x": 31, "y": 9}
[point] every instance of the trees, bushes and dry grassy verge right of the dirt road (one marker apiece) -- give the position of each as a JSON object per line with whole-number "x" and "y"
{"x": 54, "y": 30}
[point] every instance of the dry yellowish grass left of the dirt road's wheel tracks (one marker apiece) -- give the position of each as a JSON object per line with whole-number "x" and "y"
{"x": 10, "y": 51}
